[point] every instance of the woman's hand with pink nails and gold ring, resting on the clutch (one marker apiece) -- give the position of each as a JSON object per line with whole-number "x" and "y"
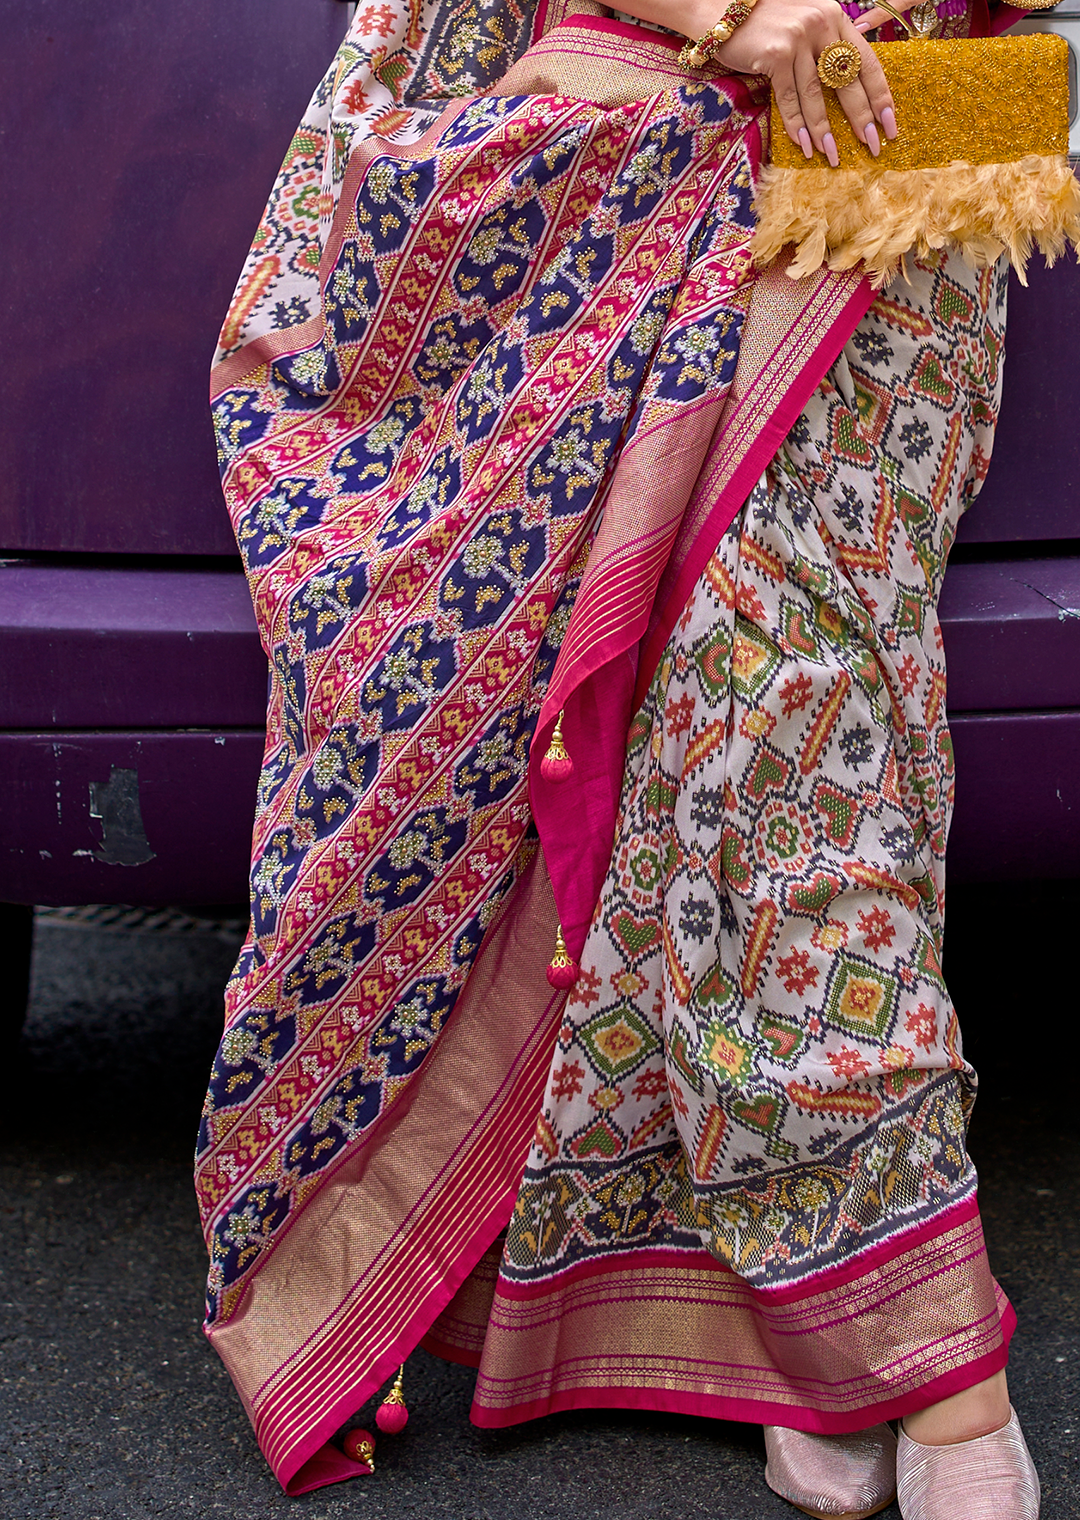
{"x": 785, "y": 40}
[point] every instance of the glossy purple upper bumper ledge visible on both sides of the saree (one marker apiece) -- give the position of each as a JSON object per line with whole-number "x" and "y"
{"x": 89, "y": 648}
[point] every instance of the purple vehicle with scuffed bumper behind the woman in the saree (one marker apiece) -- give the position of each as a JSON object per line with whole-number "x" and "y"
{"x": 131, "y": 682}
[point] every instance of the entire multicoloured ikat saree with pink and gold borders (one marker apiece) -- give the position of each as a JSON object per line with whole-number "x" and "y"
{"x": 513, "y": 432}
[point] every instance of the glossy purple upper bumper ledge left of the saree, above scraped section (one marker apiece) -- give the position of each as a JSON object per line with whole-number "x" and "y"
{"x": 89, "y": 648}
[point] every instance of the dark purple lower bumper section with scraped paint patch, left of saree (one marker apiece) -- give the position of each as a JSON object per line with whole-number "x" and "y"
{"x": 174, "y": 822}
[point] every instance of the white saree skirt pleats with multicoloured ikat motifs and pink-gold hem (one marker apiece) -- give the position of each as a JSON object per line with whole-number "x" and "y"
{"x": 750, "y": 1192}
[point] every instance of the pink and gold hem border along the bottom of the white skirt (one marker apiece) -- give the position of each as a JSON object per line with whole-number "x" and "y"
{"x": 680, "y": 1332}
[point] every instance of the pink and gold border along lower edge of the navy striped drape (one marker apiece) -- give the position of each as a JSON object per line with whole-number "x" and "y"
{"x": 376, "y": 1256}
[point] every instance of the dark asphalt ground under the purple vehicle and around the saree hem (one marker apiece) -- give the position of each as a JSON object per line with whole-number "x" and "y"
{"x": 115, "y": 1408}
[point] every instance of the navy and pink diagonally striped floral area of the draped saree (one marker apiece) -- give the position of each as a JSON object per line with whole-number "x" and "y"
{"x": 415, "y": 481}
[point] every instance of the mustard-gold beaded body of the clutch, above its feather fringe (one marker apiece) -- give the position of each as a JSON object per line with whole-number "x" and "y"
{"x": 984, "y": 100}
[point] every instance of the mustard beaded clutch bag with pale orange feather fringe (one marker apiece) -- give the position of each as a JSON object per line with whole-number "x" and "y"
{"x": 979, "y": 163}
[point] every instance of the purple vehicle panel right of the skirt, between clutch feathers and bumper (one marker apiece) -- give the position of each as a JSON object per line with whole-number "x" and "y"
{"x": 1034, "y": 487}
